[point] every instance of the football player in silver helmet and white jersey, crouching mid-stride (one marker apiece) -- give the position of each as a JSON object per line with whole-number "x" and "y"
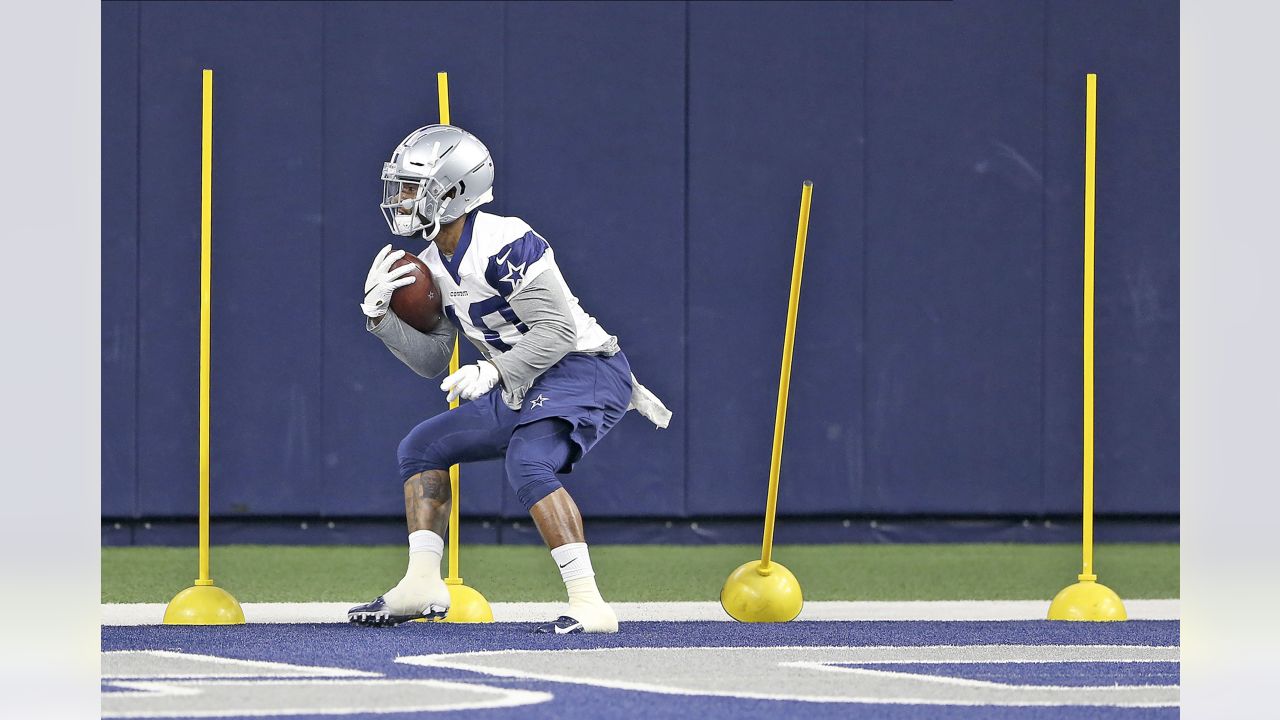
{"x": 551, "y": 384}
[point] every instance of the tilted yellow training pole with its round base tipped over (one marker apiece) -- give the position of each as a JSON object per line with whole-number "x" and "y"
{"x": 764, "y": 591}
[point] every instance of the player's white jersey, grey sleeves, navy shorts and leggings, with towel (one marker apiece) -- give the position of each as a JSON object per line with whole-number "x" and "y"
{"x": 564, "y": 380}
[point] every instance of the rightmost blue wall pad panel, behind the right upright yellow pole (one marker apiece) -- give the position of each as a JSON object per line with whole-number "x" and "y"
{"x": 1133, "y": 48}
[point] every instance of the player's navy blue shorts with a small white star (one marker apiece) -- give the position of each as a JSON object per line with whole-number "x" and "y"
{"x": 592, "y": 393}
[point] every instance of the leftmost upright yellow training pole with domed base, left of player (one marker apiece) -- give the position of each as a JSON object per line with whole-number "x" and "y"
{"x": 205, "y": 604}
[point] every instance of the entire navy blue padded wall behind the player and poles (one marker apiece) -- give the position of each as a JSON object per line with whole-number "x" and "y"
{"x": 660, "y": 148}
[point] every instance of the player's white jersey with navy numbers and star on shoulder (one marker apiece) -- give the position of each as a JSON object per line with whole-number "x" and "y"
{"x": 496, "y": 258}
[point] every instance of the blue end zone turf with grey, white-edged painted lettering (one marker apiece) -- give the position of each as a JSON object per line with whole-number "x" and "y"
{"x": 816, "y": 650}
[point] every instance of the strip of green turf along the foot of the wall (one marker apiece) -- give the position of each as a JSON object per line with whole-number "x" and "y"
{"x": 651, "y": 573}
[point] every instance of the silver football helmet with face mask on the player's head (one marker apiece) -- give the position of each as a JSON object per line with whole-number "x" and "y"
{"x": 436, "y": 176}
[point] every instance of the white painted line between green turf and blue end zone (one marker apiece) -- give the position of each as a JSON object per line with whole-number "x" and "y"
{"x": 152, "y": 613}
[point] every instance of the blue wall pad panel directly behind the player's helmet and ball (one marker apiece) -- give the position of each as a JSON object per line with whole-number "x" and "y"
{"x": 374, "y": 95}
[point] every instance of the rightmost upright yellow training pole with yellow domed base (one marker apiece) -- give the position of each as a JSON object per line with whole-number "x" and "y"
{"x": 1087, "y": 600}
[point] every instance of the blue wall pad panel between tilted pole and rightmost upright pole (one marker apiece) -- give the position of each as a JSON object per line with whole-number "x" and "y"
{"x": 954, "y": 257}
